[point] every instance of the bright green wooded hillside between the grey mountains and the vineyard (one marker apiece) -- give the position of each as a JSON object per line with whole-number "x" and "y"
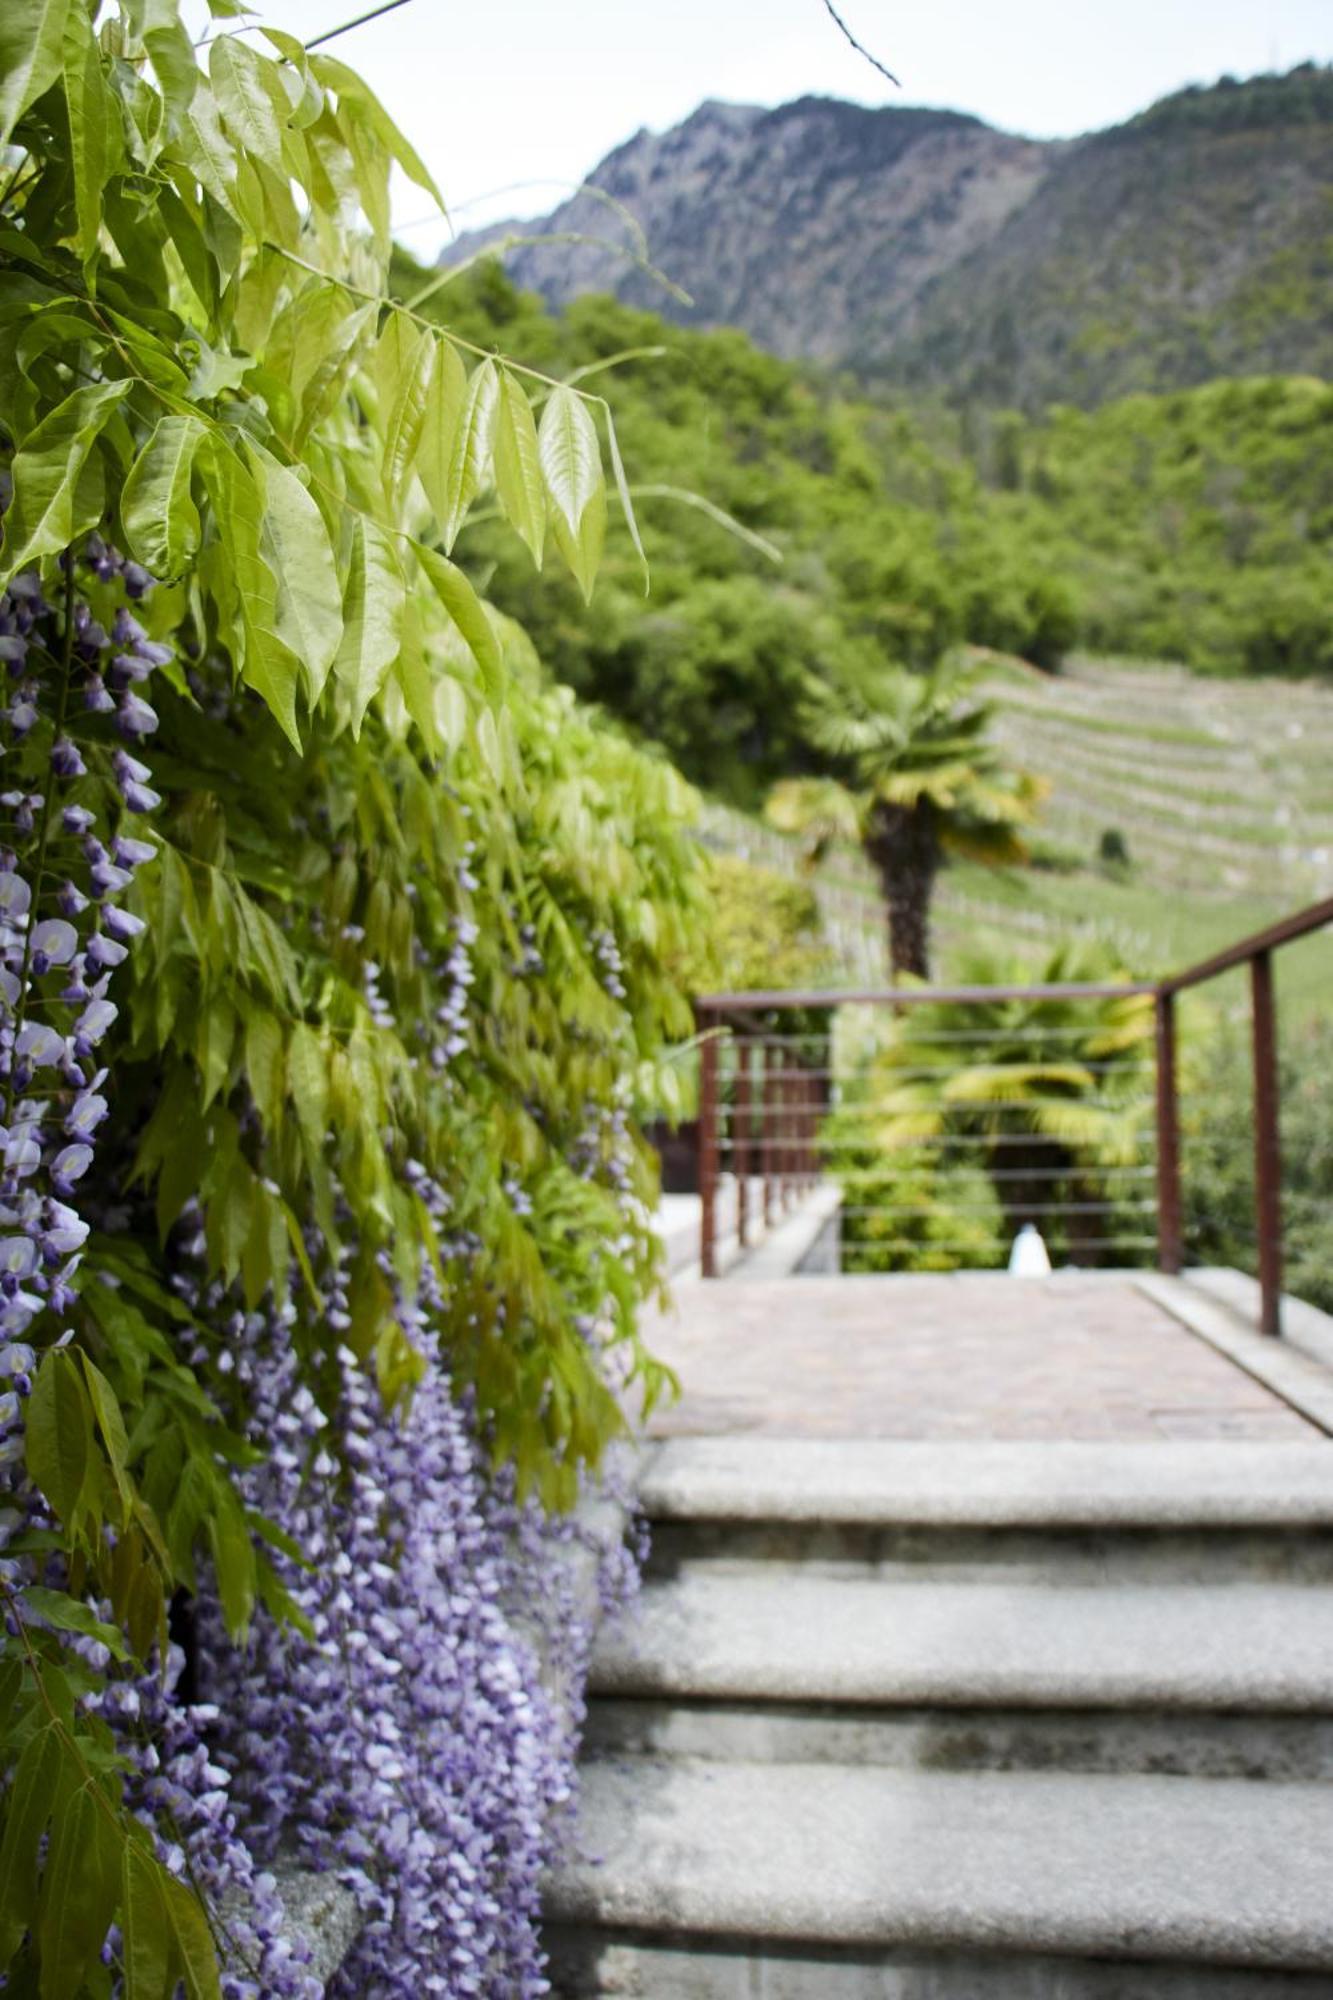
{"x": 1192, "y": 527}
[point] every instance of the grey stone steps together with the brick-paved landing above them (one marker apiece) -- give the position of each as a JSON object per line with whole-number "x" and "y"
{"x": 986, "y": 1653}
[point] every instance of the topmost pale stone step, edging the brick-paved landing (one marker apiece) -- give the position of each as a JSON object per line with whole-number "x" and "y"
{"x": 1094, "y": 1515}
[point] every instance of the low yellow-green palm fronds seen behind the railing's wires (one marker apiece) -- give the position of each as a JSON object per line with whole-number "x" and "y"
{"x": 1046, "y": 1095}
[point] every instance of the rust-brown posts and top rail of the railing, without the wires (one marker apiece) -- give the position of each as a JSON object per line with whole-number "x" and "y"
{"x": 1256, "y": 951}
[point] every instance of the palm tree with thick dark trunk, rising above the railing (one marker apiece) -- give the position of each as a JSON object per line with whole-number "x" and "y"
{"x": 912, "y": 777}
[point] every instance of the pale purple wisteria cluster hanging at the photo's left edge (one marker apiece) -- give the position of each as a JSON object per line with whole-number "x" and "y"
{"x": 65, "y": 869}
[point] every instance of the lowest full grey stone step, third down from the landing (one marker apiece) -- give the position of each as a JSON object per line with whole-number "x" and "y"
{"x": 816, "y": 1861}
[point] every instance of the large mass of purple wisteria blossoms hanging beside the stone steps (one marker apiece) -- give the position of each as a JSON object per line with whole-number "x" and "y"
{"x": 411, "y": 1743}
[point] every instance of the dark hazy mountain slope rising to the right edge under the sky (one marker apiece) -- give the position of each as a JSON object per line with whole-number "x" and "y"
{"x": 1192, "y": 243}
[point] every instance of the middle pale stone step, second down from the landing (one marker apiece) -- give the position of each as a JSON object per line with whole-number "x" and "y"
{"x": 780, "y": 1635}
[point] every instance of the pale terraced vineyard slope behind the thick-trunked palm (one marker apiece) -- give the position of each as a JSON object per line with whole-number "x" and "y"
{"x": 1220, "y": 791}
